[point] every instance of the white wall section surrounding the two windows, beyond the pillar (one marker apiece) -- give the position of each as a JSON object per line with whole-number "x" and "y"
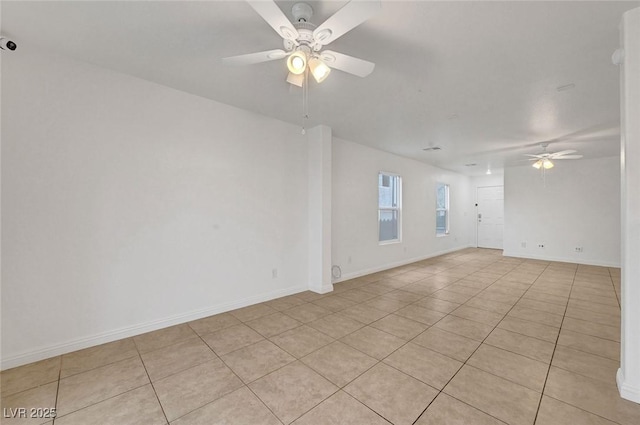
{"x": 355, "y": 245}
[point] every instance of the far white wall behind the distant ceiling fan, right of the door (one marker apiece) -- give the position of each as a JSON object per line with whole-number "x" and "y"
{"x": 578, "y": 205}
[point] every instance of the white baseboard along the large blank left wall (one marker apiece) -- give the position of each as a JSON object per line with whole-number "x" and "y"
{"x": 110, "y": 336}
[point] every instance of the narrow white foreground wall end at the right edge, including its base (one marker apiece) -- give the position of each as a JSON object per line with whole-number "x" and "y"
{"x": 628, "y": 377}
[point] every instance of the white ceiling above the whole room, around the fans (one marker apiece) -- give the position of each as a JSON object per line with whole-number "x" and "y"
{"x": 479, "y": 79}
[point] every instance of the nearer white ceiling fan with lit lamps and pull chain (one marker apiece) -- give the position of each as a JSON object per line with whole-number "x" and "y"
{"x": 304, "y": 42}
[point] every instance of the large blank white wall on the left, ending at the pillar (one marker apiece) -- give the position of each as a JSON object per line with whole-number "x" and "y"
{"x": 129, "y": 206}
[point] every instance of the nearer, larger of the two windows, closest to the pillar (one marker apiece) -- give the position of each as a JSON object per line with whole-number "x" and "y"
{"x": 389, "y": 201}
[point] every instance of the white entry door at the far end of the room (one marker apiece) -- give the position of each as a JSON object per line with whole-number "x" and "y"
{"x": 490, "y": 216}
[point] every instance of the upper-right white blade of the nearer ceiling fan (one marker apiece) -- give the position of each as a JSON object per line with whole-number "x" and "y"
{"x": 344, "y": 20}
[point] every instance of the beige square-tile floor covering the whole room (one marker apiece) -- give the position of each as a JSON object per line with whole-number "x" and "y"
{"x": 470, "y": 337}
